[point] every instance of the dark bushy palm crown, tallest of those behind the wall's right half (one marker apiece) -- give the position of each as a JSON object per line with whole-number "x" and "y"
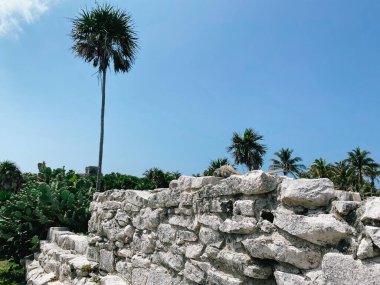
{"x": 247, "y": 149}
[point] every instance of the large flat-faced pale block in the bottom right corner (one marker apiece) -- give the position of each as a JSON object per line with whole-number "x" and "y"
{"x": 344, "y": 270}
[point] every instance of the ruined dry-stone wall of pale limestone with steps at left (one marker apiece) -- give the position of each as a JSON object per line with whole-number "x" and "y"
{"x": 245, "y": 229}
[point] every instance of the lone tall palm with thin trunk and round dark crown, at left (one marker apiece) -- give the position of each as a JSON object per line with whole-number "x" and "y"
{"x": 104, "y": 36}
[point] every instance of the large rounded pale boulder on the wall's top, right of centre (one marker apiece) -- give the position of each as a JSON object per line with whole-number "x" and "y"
{"x": 309, "y": 193}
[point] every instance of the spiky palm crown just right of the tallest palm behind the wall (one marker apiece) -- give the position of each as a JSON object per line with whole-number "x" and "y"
{"x": 287, "y": 163}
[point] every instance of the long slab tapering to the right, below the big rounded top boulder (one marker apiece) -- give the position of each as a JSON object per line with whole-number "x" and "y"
{"x": 322, "y": 229}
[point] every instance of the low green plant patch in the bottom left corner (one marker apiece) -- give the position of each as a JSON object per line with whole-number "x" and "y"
{"x": 11, "y": 273}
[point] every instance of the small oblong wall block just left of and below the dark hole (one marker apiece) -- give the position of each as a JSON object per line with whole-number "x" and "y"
{"x": 239, "y": 225}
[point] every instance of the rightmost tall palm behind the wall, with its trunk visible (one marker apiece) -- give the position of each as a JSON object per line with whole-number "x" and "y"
{"x": 359, "y": 160}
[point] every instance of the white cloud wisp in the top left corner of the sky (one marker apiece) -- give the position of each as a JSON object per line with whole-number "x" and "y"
{"x": 15, "y": 13}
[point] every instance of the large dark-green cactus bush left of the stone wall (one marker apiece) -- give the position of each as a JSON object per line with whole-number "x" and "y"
{"x": 53, "y": 197}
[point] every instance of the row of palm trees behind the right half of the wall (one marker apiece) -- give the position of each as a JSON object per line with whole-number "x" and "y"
{"x": 358, "y": 172}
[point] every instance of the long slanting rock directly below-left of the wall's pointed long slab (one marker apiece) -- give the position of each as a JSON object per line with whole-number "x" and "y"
{"x": 278, "y": 248}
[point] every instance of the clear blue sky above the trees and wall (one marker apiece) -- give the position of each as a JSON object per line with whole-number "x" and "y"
{"x": 304, "y": 74}
